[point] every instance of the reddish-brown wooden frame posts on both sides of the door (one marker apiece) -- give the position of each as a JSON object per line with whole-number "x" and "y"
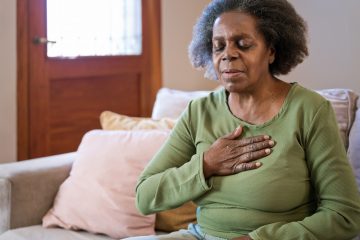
{"x": 151, "y": 11}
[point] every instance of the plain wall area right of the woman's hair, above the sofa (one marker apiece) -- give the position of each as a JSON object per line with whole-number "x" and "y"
{"x": 334, "y": 34}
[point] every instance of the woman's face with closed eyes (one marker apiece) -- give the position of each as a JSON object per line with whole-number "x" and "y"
{"x": 240, "y": 55}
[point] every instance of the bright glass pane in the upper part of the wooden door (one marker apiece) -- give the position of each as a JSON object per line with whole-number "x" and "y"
{"x": 93, "y": 28}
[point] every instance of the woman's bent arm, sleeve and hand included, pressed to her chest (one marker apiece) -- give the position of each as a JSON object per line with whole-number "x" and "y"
{"x": 178, "y": 172}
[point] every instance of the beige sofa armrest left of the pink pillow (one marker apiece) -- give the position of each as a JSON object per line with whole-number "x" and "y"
{"x": 28, "y": 188}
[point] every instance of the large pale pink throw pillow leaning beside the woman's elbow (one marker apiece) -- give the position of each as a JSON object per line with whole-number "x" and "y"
{"x": 99, "y": 194}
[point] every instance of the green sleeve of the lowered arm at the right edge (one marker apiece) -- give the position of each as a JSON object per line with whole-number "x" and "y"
{"x": 338, "y": 212}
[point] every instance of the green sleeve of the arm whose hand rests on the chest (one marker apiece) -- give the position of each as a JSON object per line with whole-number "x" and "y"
{"x": 175, "y": 174}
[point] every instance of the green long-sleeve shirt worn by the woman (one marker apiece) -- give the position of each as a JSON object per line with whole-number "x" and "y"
{"x": 305, "y": 188}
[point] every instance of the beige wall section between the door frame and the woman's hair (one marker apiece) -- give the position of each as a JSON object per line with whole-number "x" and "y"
{"x": 178, "y": 18}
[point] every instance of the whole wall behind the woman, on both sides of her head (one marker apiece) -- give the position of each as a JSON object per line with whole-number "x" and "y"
{"x": 334, "y": 37}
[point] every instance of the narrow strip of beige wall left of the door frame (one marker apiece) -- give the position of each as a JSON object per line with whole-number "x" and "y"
{"x": 7, "y": 80}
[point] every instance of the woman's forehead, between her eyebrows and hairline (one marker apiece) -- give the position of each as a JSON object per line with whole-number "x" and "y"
{"x": 235, "y": 22}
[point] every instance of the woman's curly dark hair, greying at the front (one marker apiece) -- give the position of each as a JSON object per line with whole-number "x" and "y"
{"x": 283, "y": 29}
